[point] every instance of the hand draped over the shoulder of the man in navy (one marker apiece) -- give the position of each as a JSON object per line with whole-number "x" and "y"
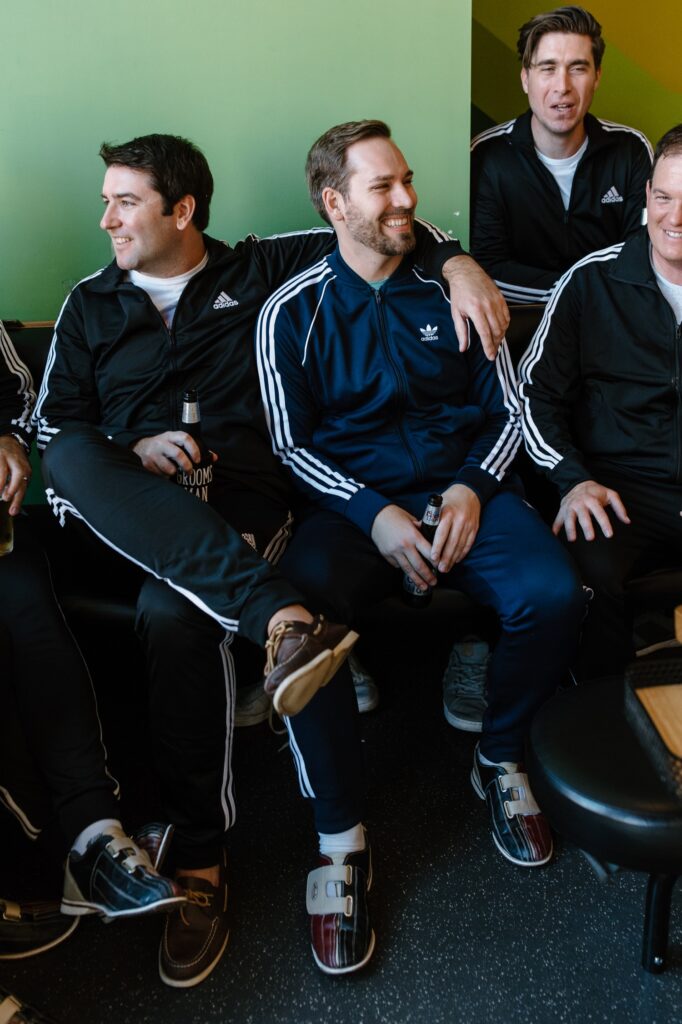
{"x": 475, "y": 296}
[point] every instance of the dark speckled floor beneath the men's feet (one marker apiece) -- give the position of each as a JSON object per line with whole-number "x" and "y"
{"x": 462, "y": 936}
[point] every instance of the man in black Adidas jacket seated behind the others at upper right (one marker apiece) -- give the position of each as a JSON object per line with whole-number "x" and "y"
{"x": 557, "y": 183}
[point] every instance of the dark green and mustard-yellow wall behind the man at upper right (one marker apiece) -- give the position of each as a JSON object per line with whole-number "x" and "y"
{"x": 642, "y": 84}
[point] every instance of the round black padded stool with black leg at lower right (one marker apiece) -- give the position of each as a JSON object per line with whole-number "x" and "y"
{"x": 600, "y": 790}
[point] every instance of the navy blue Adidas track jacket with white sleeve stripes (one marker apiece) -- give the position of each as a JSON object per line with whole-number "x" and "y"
{"x": 368, "y": 399}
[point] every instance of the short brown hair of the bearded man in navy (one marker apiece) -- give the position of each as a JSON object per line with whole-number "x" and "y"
{"x": 326, "y": 163}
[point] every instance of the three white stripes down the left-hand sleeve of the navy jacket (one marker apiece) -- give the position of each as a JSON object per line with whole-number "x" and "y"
{"x": 311, "y": 470}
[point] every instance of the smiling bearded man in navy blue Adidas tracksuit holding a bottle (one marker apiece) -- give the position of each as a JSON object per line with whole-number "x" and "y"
{"x": 371, "y": 406}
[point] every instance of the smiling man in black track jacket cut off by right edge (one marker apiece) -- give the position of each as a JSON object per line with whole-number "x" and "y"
{"x": 603, "y": 406}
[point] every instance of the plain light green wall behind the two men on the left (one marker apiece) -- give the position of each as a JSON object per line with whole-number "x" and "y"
{"x": 252, "y": 82}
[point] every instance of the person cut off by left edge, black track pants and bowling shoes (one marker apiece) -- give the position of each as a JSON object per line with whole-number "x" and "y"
{"x": 53, "y": 759}
